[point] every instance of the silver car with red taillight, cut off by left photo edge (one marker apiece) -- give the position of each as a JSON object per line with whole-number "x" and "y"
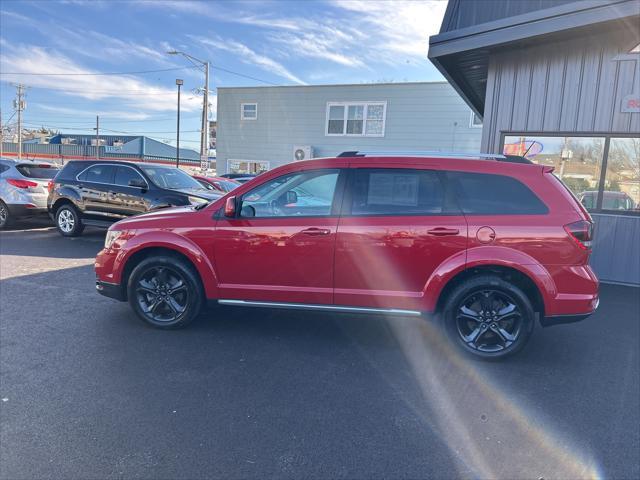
{"x": 23, "y": 189}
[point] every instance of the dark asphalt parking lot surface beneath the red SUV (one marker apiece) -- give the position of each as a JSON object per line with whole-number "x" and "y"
{"x": 88, "y": 391}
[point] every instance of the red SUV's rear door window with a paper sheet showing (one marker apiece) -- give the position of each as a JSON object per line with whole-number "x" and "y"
{"x": 380, "y": 191}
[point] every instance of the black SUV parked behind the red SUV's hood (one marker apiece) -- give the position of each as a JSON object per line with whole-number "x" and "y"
{"x": 98, "y": 193}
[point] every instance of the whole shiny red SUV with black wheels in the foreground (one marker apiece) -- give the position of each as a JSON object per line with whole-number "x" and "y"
{"x": 488, "y": 244}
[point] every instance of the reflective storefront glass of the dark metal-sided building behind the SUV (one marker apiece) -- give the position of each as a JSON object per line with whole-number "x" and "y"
{"x": 579, "y": 162}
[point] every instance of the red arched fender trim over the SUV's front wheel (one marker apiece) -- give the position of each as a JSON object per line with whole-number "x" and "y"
{"x": 170, "y": 241}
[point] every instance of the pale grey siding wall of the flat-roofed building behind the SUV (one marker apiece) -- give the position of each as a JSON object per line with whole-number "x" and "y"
{"x": 418, "y": 116}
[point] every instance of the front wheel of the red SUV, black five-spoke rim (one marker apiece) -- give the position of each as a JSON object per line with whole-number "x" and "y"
{"x": 165, "y": 292}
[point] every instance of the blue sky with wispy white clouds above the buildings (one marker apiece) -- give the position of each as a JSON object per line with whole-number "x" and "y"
{"x": 249, "y": 43}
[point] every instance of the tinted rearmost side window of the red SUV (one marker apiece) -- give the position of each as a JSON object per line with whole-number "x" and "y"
{"x": 488, "y": 194}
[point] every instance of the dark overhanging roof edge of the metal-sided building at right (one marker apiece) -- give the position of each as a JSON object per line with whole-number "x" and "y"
{"x": 472, "y": 29}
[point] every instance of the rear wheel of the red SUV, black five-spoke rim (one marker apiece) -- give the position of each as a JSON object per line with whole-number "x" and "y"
{"x": 474, "y": 323}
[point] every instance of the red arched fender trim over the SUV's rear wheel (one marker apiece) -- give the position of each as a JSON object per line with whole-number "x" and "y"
{"x": 488, "y": 256}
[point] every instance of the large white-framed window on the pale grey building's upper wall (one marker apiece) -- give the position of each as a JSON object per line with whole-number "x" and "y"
{"x": 357, "y": 119}
